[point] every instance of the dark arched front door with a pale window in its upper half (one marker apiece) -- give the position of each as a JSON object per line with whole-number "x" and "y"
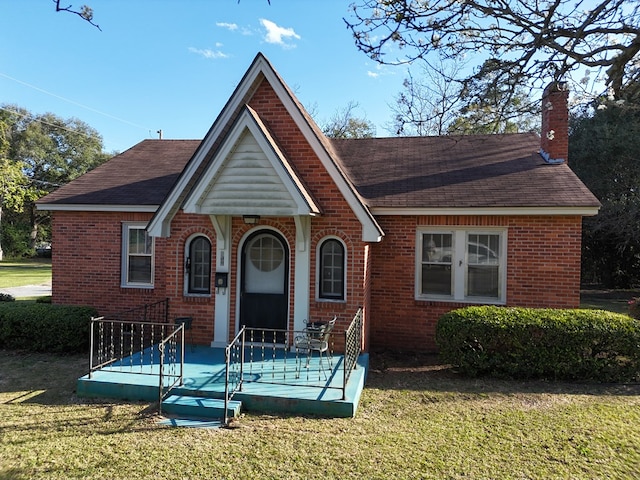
{"x": 264, "y": 298}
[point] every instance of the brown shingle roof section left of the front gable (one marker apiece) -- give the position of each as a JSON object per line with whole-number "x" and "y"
{"x": 142, "y": 175}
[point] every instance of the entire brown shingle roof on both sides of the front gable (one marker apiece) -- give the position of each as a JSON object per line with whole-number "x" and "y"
{"x": 398, "y": 172}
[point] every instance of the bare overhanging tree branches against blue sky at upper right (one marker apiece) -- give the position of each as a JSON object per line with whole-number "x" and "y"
{"x": 536, "y": 41}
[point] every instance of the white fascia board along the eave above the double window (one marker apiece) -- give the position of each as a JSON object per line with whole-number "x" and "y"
{"x": 501, "y": 211}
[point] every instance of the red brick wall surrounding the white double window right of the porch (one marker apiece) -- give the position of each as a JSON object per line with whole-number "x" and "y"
{"x": 543, "y": 270}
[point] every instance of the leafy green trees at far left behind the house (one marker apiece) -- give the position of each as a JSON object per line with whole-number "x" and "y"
{"x": 38, "y": 154}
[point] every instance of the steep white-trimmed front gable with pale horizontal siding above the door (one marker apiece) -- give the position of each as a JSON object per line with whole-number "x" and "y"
{"x": 199, "y": 187}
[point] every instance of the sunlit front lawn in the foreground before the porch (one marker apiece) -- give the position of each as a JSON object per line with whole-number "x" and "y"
{"x": 417, "y": 419}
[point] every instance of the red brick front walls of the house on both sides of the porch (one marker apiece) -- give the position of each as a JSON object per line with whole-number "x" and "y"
{"x": 543, "y": 260}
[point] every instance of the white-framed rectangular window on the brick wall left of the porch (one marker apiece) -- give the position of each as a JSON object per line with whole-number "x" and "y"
{"x": 137, "y": 256}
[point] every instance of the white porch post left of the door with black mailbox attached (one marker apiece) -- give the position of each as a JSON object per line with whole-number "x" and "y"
{"x": 222, "y": 225}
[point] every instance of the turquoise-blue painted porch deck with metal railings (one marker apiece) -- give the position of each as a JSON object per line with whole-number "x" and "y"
{"x": 270, "y": 381}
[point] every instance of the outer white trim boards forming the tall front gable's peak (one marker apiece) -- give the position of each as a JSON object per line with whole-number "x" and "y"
{"x": 159, "y": 226}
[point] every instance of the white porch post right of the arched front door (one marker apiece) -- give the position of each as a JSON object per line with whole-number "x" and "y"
{"x": 302, "y": 281}
